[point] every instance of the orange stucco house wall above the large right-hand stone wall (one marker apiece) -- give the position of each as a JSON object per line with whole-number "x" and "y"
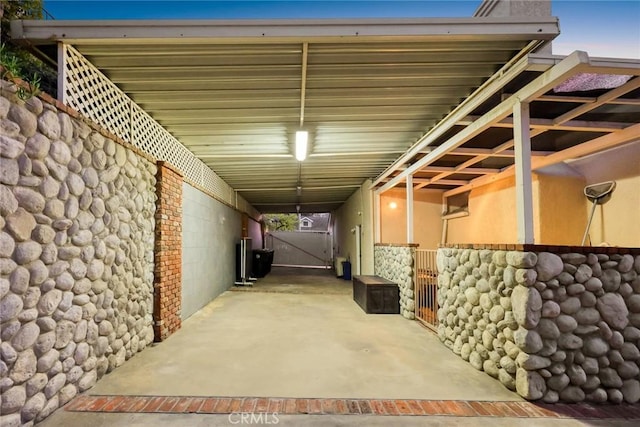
{"x": 560, "y": 208}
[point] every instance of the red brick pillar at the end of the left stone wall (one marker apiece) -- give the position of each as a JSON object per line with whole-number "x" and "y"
{"x": 167, "y": 284}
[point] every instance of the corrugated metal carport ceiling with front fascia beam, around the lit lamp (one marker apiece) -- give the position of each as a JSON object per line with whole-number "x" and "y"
{"x": 235, "y": 92}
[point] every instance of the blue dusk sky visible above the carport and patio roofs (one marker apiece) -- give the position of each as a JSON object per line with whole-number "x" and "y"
{"x": 601, "y": 27}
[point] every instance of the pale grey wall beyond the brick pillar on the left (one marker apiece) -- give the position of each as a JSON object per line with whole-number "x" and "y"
{"x": 210, "y": 233}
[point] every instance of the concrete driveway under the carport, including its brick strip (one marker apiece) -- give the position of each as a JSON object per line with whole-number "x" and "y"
{"x": 306, "y": 348}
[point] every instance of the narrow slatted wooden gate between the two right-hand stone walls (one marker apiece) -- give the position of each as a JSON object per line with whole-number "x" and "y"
{"x": 426, "y": 288}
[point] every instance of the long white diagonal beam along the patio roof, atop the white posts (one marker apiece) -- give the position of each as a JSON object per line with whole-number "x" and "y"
{"x": 575, "y": 63}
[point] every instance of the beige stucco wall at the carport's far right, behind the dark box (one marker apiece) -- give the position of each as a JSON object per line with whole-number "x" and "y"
{"x": 357, "y": 210}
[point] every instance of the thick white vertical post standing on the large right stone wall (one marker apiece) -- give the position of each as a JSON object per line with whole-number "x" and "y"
{"x": 524, "y": 186}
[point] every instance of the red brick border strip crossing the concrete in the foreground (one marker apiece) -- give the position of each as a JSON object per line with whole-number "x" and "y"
{"x": 299, "y": 406}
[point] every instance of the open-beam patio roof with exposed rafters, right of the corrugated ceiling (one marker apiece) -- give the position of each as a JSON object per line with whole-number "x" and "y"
{"x": 568, "y": 107}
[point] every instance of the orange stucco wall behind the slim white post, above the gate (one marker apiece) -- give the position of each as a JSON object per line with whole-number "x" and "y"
{"x": 427, "y": 219}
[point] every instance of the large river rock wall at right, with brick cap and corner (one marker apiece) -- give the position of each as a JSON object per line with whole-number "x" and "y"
{"x": 555, "y": 327}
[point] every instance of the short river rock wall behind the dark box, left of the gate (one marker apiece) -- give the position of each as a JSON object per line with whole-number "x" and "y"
{"x": 396, "y": 263}
